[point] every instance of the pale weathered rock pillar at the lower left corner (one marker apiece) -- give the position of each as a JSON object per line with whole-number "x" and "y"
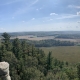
{"x": 4, "y": 71}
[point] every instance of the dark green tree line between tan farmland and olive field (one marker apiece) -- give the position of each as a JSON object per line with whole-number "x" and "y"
{"x": 51, "y": 43}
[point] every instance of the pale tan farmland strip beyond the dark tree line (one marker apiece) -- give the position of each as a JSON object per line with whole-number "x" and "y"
{"x": 31, "y": 37}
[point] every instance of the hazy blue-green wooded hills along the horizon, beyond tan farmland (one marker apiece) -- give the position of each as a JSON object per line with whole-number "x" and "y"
{"x": 42, "y": 33}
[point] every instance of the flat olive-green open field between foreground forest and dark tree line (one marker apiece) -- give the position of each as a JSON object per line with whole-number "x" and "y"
{"x": 65, "y": 53}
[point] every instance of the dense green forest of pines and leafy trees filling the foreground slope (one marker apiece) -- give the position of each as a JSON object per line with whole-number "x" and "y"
{"x": 30, "y": 63}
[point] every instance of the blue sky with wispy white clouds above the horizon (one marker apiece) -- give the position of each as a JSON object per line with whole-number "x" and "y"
{"x": 39, "y": 15}
